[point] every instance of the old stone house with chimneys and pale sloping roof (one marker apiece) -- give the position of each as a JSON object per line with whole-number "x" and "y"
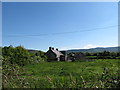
{"x": 56, "y": 55}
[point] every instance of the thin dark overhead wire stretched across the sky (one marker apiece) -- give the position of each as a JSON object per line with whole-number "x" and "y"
{"x": 58, "y": 33}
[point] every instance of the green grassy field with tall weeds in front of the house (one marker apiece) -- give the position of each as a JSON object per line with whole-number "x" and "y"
{"x": 94, "y": 74}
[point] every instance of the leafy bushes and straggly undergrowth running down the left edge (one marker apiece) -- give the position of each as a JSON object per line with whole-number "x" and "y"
{"x": 14, "y": 58}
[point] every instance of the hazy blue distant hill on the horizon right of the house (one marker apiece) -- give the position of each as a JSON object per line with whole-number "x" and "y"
{"x": 98, "y": 49}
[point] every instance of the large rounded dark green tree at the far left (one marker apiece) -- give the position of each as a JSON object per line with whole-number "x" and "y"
{"x": 18, "y": 55}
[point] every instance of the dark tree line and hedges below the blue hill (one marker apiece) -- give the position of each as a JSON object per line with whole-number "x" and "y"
{"x": 97, "y": 55}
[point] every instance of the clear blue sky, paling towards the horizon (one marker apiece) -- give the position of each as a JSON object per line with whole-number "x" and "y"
{"x": 63, "y": 25}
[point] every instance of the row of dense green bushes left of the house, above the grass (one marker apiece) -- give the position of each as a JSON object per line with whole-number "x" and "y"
{"x": 20, "y": 56}
